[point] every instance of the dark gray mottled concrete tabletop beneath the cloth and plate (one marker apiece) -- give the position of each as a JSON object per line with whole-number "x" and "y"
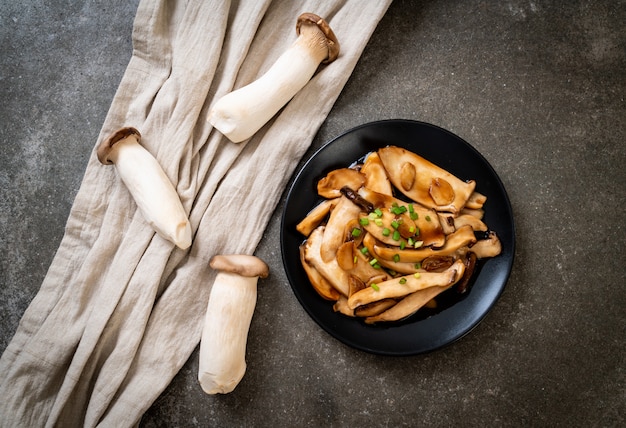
{"x": 537, "y": 87}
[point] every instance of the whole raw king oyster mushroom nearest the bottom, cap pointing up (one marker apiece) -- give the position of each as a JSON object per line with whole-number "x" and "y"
{"x": 227, "y": 321}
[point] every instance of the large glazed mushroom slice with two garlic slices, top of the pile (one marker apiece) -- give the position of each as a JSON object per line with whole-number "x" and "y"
{"x": 413, "y": 175}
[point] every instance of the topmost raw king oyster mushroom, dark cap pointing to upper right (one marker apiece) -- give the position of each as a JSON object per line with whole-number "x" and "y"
{"x": 241, "y": 113}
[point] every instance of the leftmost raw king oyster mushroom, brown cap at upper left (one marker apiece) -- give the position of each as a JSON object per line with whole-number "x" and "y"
{"x": 148, "y": 184}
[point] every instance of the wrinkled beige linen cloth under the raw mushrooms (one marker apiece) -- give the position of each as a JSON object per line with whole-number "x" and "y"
{"x": 121, "y": 309}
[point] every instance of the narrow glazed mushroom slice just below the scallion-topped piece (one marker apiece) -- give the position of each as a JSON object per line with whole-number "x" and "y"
{"x": 462, "y": 237}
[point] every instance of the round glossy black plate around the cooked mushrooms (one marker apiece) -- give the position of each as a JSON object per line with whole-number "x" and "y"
{"x": 457, "y": 314}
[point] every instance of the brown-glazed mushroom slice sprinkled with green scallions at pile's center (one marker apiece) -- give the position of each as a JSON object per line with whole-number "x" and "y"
{"x": 421, "y": 224}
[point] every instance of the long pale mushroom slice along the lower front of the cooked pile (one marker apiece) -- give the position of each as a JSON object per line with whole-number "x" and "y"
{"x": 405, "y": 285}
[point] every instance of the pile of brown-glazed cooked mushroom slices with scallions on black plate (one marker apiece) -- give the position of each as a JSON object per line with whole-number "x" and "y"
{"x": 392, "y": 233}
